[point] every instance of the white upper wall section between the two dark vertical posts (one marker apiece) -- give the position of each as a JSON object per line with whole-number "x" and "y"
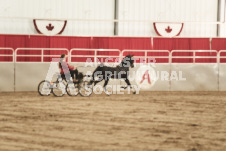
{"x": 168, "y": 11}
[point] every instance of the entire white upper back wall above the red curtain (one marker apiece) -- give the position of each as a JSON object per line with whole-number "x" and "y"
{"x": 140, "y": 13}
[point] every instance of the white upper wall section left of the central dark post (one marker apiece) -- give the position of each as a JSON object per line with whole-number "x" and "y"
{"x": 58, "y": 9}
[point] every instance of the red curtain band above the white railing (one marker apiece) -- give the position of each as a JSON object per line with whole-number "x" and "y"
{"x": 121, "y": 43}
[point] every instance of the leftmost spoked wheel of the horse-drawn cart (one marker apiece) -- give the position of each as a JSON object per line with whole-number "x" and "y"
{"x": 44, "y": 88}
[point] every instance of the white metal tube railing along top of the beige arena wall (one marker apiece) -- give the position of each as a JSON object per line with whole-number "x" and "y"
{"x": 74, "y": 53}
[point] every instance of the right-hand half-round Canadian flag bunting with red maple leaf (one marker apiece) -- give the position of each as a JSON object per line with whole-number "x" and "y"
{"x": 168, "y": 29}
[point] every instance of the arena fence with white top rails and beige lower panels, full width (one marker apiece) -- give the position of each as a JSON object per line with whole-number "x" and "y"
{"x": 204, "y": 70}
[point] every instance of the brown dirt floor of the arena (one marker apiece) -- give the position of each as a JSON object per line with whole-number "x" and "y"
{"x": 158, "y": 121}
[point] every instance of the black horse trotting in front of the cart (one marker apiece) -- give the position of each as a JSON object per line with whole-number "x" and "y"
{"x": 119, "y": 72}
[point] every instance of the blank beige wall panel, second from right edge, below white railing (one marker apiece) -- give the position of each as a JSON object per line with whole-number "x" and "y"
{"x": 199, "y": 77}
